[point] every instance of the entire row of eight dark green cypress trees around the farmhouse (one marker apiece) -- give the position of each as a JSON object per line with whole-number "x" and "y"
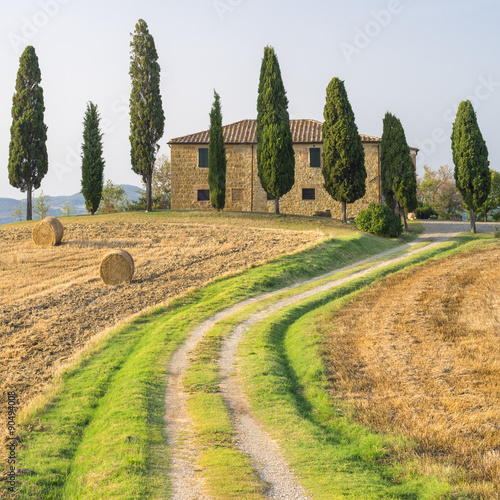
{"x": 343, "y": 155}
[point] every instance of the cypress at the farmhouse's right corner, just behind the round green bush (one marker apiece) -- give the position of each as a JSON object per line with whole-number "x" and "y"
{"x": 399, "y": 179}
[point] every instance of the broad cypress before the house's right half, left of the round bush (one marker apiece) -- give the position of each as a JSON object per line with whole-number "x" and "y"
{"x": 343, "y": 154}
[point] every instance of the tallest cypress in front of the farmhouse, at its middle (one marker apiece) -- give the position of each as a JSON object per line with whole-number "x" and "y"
{"x": 275, "y": 153}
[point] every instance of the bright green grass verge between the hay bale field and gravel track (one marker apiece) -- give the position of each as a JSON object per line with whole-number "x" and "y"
{"x": 102, "y": 424}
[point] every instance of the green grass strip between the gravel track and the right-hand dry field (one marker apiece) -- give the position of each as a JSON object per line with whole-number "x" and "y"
{"x": 285, "y": 381}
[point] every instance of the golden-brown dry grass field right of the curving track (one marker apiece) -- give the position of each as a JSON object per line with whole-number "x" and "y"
{"x": 420, "y": 353}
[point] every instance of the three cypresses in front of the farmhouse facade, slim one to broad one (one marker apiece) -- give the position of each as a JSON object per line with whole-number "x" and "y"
{"x": 343, "y": 155}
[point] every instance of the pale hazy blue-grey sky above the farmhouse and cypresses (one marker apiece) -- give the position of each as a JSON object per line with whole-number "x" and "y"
{"x": 415, "y": 58}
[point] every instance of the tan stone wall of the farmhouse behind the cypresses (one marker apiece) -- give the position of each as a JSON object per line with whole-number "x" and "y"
{"x": 244, "y": 191}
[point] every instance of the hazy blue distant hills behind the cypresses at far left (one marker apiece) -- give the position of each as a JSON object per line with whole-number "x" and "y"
{"x": 7, "y": 205}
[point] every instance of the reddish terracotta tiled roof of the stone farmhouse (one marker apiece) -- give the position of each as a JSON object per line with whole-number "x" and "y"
{"x": 245, "y": 132}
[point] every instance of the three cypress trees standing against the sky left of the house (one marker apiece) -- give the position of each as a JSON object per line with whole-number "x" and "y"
{"x": 28, "y": 159}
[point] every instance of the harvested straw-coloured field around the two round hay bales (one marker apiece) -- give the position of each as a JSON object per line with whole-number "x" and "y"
{"x": 52, "y": 301}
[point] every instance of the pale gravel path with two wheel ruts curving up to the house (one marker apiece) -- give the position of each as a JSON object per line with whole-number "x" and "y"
{"x": 252, "y": 438}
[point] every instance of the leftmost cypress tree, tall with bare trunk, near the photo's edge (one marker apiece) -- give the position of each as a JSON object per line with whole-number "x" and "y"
{"x": 28, "y": 161}
